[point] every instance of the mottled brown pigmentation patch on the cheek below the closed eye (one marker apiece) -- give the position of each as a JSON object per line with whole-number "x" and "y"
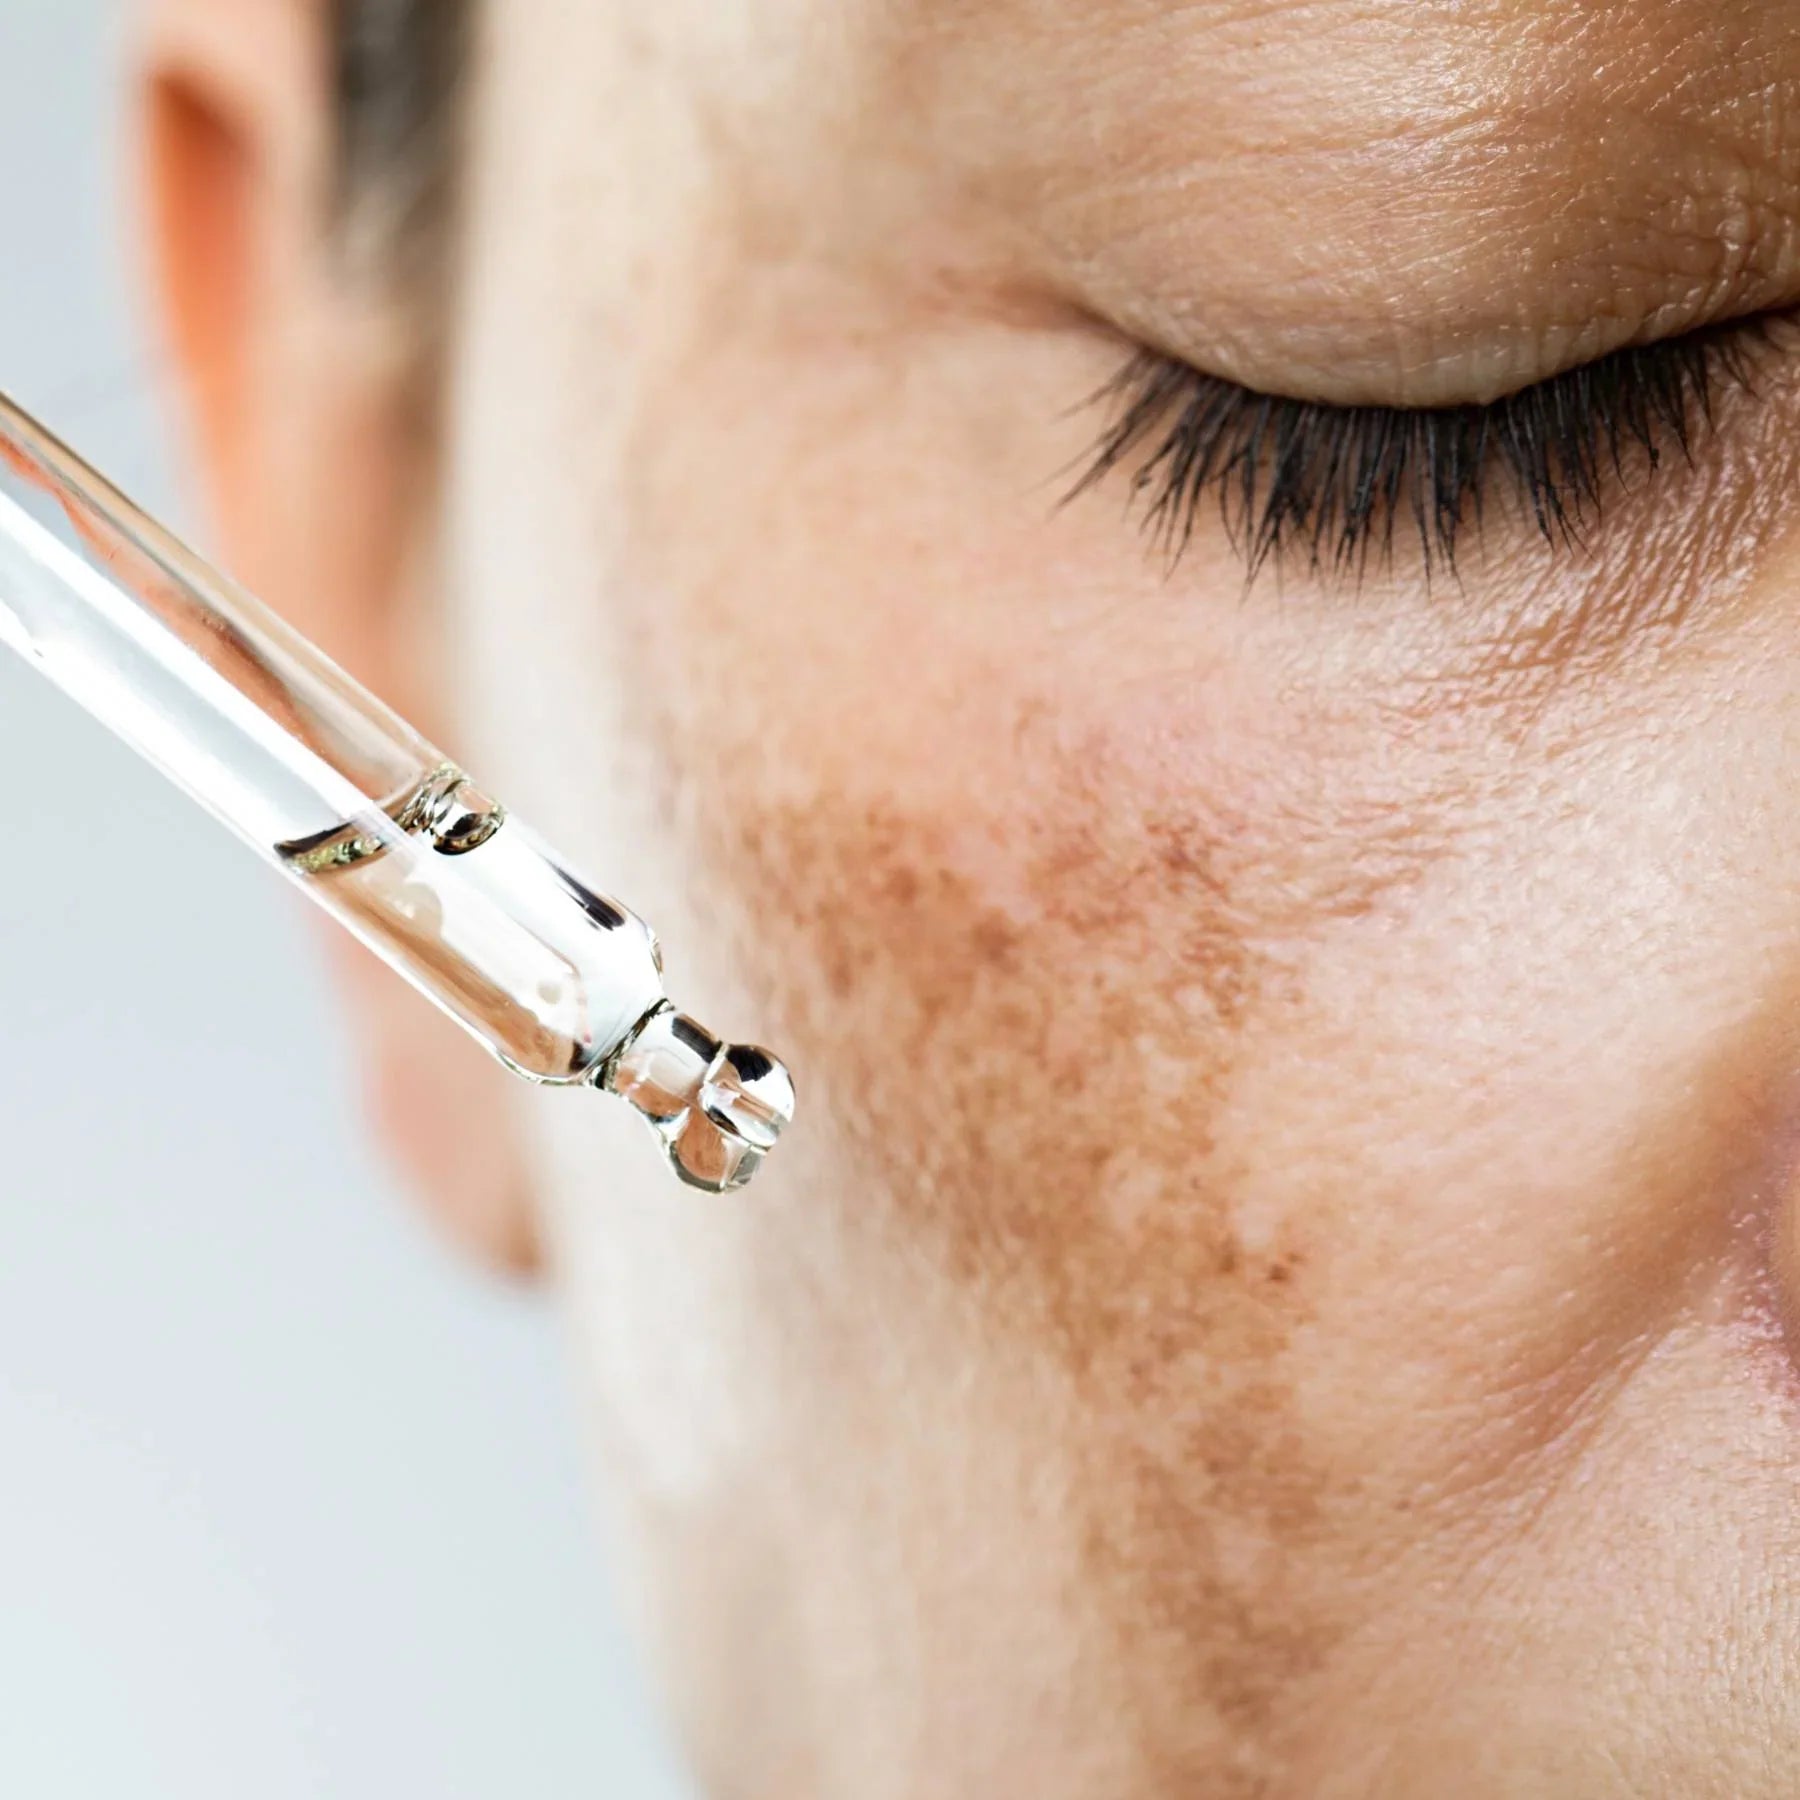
{"x": 1070, "y": 987}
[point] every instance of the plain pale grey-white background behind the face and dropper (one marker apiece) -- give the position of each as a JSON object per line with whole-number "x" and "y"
{"x": 291, "y": 1506}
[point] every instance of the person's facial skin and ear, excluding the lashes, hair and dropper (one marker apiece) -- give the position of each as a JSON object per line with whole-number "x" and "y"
{"x": 1281, "y": 1282}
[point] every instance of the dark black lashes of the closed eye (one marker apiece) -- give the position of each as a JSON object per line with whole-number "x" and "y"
{"x": 1333, "y": 481}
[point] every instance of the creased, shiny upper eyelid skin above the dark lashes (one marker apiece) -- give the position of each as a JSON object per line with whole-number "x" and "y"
{"x": 1383, "y": 204}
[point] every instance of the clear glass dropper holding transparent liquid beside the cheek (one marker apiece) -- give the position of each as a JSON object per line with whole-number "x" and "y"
{"x": 361, "y": 813}
